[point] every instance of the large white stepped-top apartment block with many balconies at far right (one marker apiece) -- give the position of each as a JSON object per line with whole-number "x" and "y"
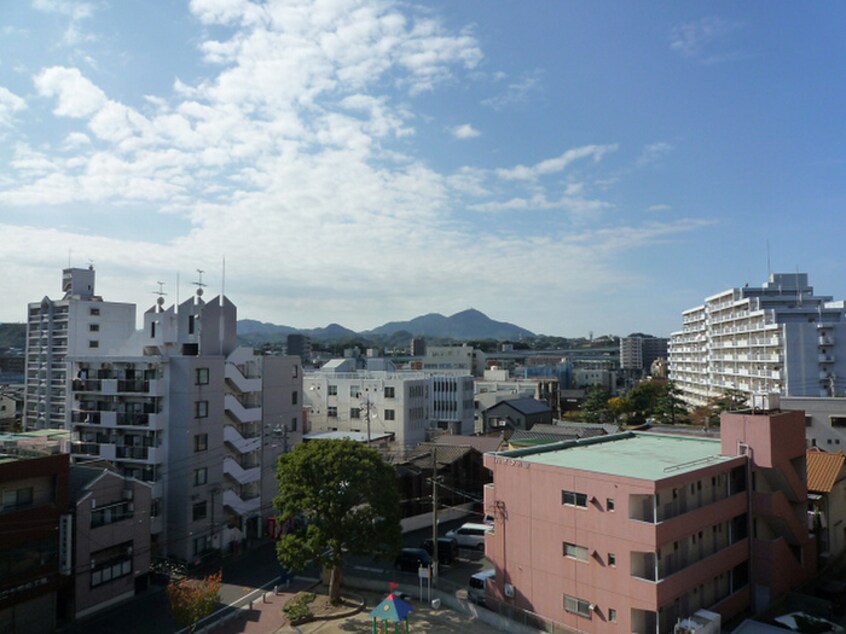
{"x": 779, "y": 337}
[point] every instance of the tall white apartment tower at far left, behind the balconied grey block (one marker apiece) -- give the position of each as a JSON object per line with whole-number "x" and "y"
{"x": 79, "y": 323}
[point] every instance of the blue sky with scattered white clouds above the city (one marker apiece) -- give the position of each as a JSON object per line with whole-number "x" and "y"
{"x": 570, "y": 167}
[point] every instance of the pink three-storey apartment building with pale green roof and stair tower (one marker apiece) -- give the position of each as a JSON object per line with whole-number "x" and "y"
{"x": 634, "y": 531}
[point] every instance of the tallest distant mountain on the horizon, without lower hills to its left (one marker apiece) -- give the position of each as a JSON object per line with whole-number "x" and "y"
{"x": 468, "y": 324}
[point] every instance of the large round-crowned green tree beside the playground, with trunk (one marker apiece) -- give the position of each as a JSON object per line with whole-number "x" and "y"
{"x": 341, "y": 497}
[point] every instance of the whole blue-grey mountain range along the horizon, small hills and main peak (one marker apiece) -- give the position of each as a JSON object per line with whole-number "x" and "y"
{"x": 468, "y": 324}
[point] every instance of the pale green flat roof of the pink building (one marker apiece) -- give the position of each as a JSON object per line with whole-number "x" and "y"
{"x": 641, "y": 455}
